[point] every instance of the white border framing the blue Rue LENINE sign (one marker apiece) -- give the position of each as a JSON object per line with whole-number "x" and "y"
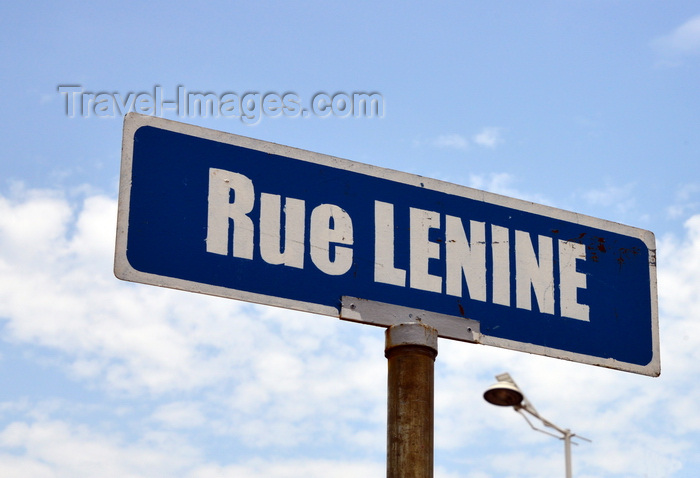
{"x": 124, "y": 271}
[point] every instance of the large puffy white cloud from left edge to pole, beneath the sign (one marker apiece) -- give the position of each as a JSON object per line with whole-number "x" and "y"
{"x": 300, "y": 371}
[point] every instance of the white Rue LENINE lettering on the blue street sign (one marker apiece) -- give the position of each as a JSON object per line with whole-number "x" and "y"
{"x": 232, "y": 197}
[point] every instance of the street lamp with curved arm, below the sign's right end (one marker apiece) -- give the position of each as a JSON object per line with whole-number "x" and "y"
{"x": 506, "y": 393}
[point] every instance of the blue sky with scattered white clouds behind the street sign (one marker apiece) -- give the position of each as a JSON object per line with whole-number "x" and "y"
{"x": 588, "y": 106}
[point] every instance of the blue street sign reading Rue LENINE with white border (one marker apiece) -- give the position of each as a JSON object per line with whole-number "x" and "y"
{"x": 220, "y": 214}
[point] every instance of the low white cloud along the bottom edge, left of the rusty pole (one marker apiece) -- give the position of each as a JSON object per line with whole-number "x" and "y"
{"x": 57, "y": 449}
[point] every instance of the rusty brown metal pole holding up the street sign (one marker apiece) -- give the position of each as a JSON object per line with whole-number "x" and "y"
{"x": 411, "y": 349}
